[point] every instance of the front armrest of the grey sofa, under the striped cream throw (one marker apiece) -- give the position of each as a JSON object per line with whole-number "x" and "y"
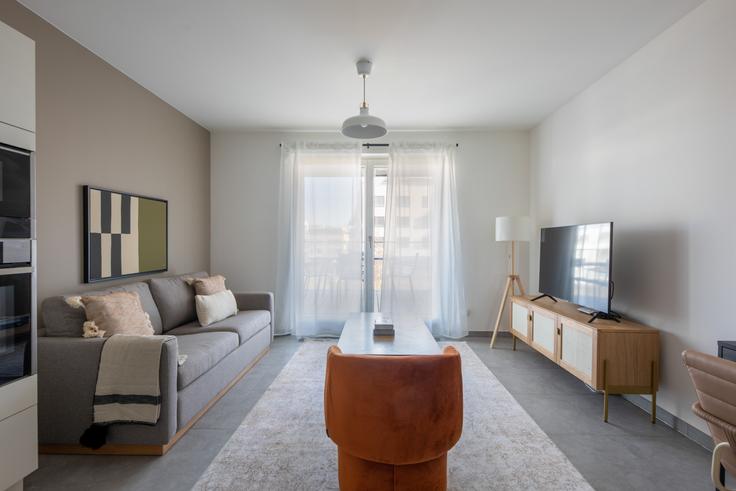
{"x": 67, "y": 376}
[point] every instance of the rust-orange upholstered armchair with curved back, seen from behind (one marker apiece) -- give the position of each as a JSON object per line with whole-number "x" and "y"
{"x": 393, "y": 418}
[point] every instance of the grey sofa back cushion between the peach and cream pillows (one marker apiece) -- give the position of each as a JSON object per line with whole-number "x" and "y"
{"x": 175, "y": 299}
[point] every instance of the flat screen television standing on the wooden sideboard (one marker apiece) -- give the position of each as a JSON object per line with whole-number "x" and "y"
{"x": 575, "y": 264}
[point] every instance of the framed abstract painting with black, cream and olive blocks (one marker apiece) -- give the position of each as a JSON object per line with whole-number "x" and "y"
{"x": 124, "y": 234}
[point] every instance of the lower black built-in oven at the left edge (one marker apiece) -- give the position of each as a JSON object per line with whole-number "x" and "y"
{"x": 17, "y": 326}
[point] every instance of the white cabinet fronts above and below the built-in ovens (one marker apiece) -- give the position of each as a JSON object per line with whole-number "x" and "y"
{"x": 18, "y": 399}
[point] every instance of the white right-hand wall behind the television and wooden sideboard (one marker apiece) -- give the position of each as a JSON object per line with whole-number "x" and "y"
{"x": 652, "y": 146}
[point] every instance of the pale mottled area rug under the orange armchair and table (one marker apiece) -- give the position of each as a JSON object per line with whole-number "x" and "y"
{"x": 282, "y": 444}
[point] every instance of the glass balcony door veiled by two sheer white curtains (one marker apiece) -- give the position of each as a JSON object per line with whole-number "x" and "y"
{"x": 371, "y": 232}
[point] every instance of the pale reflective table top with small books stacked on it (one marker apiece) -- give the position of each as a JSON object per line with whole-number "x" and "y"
{"x": 412, "y": 337}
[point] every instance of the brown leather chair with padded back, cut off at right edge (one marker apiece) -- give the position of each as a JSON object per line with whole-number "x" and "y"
{"x": 714, "y": 380}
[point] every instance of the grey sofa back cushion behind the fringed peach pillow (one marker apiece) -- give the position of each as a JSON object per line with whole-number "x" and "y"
{"x": 60, "y": 319}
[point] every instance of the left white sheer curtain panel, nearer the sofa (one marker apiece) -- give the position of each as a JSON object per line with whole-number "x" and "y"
{"x": 320, "y": 238}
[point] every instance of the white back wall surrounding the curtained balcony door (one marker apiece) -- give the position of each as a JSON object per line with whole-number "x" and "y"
{"x": 492, "y": 179}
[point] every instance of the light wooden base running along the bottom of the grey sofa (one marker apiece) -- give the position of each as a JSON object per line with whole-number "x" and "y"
{"x": 131, "y": 449}
